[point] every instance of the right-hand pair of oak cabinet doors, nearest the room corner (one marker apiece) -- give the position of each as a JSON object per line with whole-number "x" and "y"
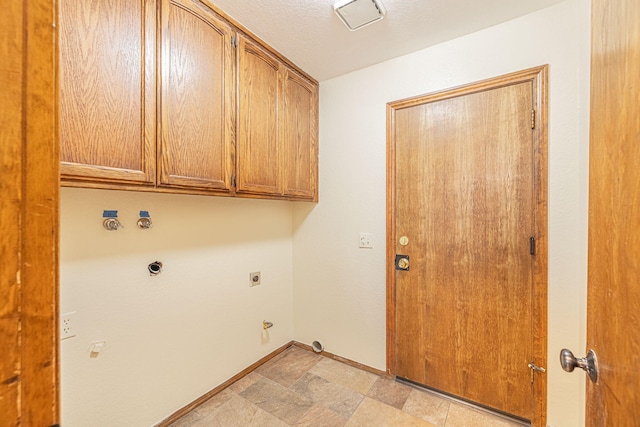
{"x": 277, "y": 126}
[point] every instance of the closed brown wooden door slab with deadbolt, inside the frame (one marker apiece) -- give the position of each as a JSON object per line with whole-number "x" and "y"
{"x": 465, "y": 209}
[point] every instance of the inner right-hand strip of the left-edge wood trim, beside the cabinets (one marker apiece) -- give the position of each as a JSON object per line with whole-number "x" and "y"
{"x": 41, "y": 183}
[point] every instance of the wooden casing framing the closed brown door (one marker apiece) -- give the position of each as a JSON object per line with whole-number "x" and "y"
{"x": 538, "y": 76}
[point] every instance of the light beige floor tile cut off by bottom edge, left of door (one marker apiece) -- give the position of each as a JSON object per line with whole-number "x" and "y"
{"x": 372, "y": 413}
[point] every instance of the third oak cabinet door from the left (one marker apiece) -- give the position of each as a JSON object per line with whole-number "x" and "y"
{"x": 258, "y": 161}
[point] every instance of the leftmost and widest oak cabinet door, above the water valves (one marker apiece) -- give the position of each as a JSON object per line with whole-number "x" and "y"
{"x": 107, "y": 90}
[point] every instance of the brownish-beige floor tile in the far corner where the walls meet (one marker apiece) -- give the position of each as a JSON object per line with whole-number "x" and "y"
{"x": 289, "y": 366}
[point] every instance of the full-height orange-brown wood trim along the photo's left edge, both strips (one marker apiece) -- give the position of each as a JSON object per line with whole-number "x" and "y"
{"x": 29, "y": 384}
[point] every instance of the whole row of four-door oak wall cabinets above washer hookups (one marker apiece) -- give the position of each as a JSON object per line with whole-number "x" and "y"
{"x": 216, "y": 113}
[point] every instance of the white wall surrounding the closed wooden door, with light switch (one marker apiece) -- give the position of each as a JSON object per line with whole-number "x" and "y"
{"x": 339, "y": 289}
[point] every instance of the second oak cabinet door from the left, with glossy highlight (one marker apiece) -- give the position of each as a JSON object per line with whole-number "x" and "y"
{"x": 197, "y": 98}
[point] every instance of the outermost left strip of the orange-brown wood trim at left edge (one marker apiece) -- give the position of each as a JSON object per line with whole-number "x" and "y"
{"x": 11, "y": 76}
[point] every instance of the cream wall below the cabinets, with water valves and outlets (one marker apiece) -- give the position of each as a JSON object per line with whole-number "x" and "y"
{"x": 173, "y": 337}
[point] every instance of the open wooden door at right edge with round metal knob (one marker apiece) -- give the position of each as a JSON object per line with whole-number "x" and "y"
{"x": 613, "y": 322}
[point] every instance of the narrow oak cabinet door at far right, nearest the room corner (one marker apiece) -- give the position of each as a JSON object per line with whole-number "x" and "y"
{"x": 299, "y": 136}
